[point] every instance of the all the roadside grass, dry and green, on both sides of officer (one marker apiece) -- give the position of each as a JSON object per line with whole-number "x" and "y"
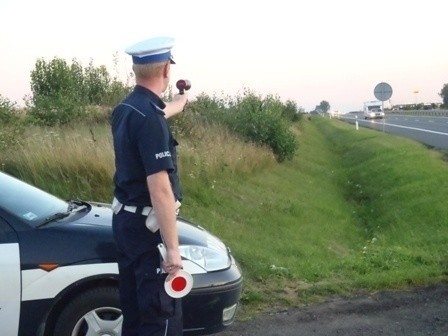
{"x": 353, "y": 211}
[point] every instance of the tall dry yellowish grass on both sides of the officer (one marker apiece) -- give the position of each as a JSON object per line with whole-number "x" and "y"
{"x": 78, "y": 162}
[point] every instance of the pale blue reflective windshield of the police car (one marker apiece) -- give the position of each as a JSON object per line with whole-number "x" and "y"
{"x": 28, "y": 203}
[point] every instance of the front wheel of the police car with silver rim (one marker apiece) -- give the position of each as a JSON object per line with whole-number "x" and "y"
{"x": 95, "y": 312}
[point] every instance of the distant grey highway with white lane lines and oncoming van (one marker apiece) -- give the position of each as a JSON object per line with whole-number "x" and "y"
{"x": 430, "y": 130}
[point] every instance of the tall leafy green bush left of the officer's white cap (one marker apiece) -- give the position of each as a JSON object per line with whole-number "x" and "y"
{"x": 62, "y": 92}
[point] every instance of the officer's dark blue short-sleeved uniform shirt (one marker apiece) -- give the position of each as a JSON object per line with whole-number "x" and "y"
{"x": 143, "y": 145}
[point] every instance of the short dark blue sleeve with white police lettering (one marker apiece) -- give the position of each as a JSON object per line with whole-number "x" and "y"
{"x": 153, "y": 145}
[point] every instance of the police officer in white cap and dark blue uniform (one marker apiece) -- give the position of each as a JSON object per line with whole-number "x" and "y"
{"x": 146, "y": 184}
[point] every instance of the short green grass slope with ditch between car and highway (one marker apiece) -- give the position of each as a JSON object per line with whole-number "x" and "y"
{"x": 354, "y": 211}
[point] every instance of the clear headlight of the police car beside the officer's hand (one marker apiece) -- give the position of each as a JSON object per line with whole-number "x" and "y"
{"x": 212, "y": 257}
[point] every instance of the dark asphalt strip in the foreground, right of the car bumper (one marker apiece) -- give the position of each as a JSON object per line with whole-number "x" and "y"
{"x": 422, "y": 311}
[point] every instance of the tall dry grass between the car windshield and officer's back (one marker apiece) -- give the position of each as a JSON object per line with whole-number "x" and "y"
{"x": 71, "y": 162}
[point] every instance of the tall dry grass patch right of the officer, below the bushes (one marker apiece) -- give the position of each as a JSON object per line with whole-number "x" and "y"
{"x": 211, "y": 155}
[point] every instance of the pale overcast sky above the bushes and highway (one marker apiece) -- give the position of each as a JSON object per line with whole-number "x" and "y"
{"x": 305, "y": 51}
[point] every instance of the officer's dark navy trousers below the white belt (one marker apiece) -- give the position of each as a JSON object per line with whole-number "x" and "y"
{"x": 147, "y": 309}
